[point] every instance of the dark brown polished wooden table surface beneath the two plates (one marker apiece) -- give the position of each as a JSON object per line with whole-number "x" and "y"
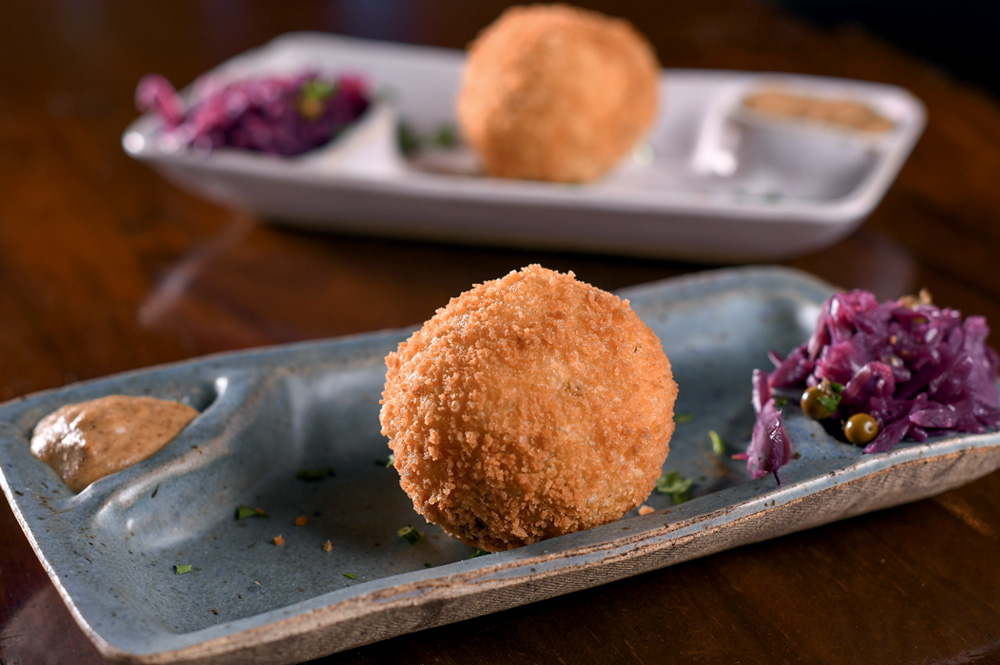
{"x": 106, "y": 267}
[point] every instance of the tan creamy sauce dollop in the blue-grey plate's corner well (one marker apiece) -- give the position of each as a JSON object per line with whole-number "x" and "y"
{"x": 86, "y": 441}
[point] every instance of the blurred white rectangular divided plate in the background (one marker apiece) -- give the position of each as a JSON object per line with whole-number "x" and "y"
{"x": 787, "y": 189}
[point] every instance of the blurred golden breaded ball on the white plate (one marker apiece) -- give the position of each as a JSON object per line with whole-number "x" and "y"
{"x": 557, "y": 93}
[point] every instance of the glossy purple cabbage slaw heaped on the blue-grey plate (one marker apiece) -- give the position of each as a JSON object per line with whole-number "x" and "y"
{"x": 919, "y": 370}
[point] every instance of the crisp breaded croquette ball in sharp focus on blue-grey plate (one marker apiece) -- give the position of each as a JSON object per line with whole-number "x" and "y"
{"x": 529, "y": 407}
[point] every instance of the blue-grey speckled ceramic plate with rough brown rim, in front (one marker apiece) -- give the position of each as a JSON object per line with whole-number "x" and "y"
{"x": 267, "y": 414}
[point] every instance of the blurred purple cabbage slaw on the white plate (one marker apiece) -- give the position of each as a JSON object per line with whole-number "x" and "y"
{"x": 283, "y": 115}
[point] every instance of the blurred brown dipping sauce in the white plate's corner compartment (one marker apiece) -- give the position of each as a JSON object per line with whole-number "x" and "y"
{"x": 842, "y": 112}
